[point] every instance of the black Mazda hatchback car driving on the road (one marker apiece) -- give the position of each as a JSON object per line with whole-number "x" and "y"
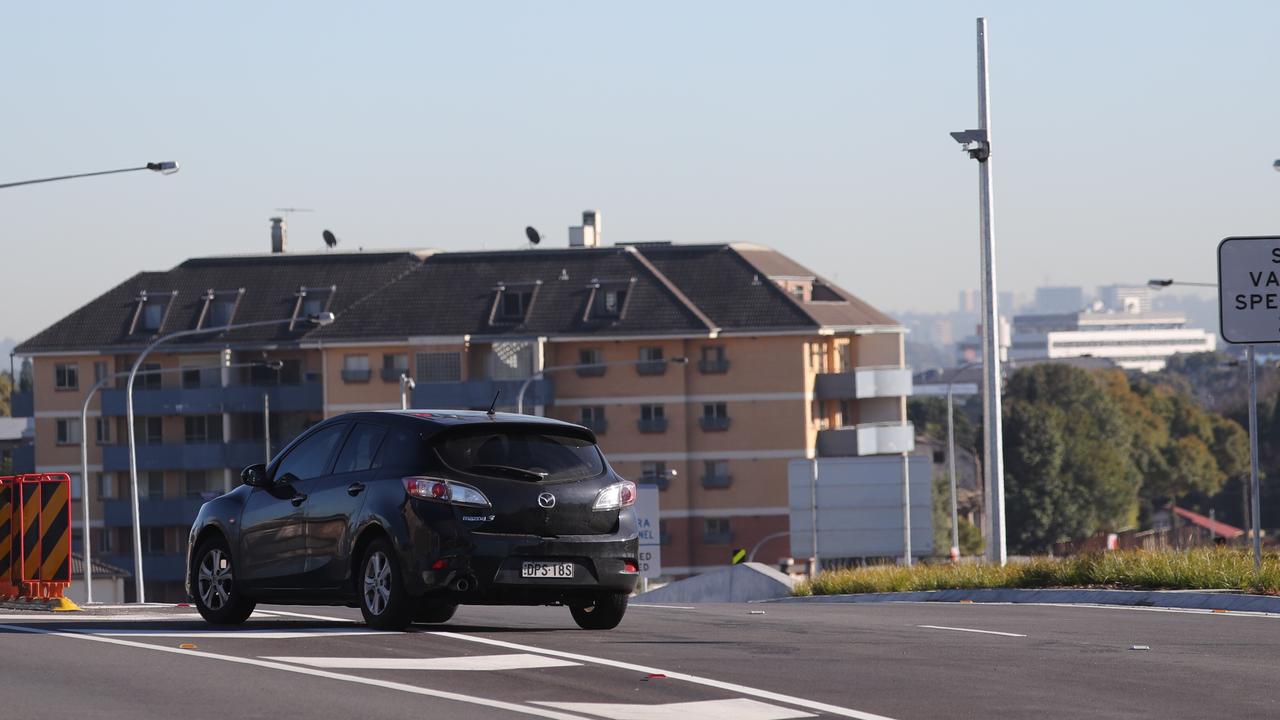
{"x": 409, "y": 514}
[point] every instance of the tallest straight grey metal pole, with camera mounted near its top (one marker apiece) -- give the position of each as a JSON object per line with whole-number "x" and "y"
{"x": 991, "y": 413}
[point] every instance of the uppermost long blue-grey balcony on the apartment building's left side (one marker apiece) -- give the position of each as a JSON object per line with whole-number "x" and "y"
{"x": 214, "y": 400}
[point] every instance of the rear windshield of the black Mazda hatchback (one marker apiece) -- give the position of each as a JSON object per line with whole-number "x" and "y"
{"x": 522, "y": 454}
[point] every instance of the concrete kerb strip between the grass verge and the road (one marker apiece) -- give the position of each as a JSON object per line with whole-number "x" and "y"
{"x": 1192, "y": 600}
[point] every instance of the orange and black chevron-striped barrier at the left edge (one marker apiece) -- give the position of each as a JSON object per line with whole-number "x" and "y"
{"x": 35, "y": 537}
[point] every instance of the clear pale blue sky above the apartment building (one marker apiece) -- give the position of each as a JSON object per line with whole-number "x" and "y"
{"x": 1130, "y": 136}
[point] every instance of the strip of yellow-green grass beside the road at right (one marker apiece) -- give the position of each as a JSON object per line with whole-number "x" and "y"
{"x": 1182, "y": 569}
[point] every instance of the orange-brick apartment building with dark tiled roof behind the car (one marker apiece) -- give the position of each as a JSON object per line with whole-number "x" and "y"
{"x": 781, "y": 364}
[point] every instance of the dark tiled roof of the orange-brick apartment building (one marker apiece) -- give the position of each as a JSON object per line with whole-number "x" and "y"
{"x": 394, "y": 295}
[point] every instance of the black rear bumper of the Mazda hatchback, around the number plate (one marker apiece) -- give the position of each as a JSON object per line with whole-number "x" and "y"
{"x": 486, "y": 568}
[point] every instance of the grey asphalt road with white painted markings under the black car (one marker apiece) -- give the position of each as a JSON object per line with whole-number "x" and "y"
{"x": 711, "y": 662}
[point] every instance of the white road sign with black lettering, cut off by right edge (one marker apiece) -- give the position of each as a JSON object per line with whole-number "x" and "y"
{"x": 1249, "y": 290}
